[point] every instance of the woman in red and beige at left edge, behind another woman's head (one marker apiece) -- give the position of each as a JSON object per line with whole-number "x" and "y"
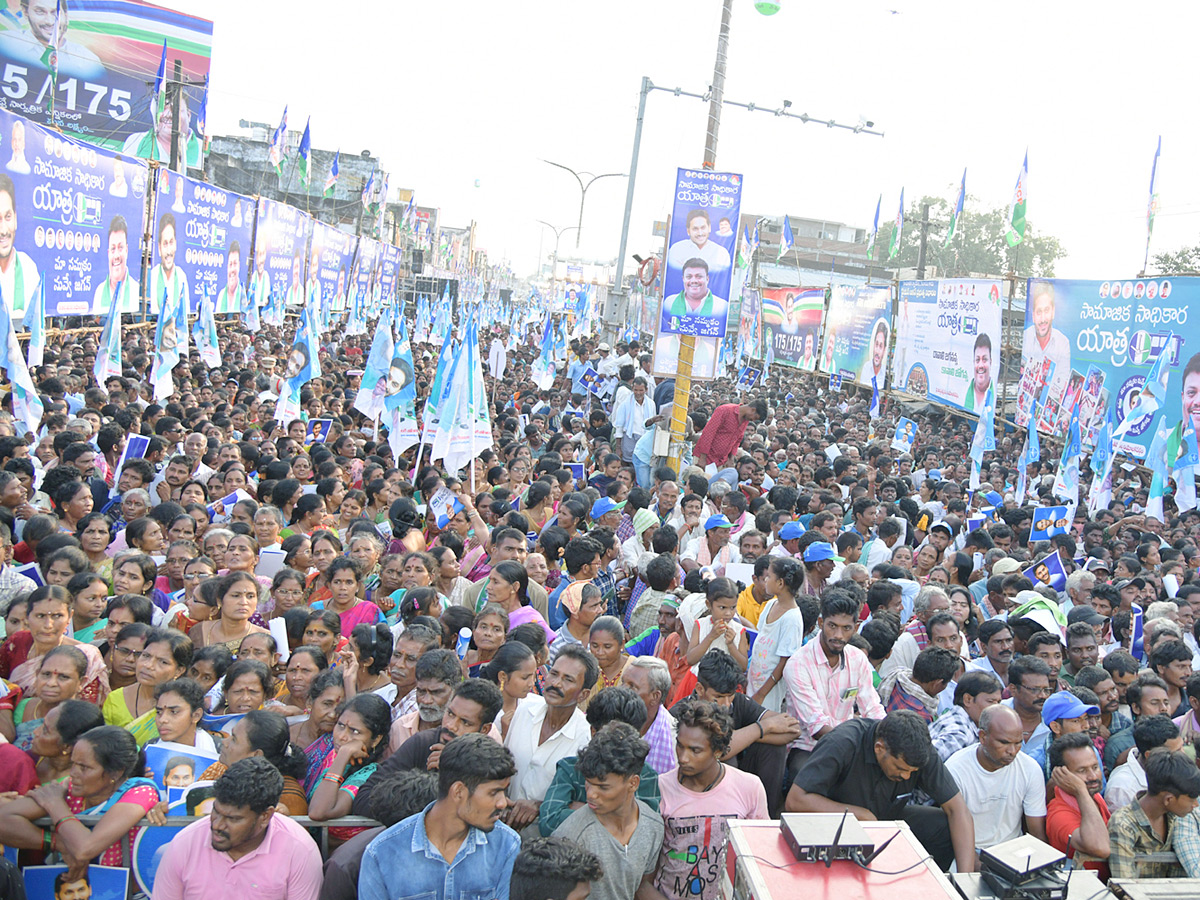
{"x": 49, "y": 616}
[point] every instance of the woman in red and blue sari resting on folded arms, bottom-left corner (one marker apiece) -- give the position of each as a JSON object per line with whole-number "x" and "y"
{"x": 104, "y": 782}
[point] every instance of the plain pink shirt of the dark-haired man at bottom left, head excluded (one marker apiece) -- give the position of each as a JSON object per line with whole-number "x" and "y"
{"x": 285, "y": 867}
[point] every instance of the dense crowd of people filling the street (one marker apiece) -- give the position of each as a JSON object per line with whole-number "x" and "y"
{"x": 577, "y": 680}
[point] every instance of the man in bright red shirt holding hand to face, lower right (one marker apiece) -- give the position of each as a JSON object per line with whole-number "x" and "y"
{"x": 1077, "y": 817}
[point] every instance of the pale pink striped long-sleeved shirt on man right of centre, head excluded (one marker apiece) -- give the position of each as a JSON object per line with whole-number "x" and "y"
{"x": 819, "y": 695}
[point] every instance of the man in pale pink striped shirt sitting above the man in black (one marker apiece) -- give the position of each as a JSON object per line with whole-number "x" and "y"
{"x": 829, "y": 682}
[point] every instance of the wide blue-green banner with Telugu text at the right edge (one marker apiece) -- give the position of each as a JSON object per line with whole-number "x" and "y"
{"x": 1087, "y": 340}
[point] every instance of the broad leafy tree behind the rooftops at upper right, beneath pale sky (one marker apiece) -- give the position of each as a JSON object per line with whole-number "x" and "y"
{"x": 979, "y": 248}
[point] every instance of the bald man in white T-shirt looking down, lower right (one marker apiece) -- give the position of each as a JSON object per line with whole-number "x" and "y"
{"x": 1003, "y": 788}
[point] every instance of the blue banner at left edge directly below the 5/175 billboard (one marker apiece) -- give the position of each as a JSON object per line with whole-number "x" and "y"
{"x": 74, "y": 215}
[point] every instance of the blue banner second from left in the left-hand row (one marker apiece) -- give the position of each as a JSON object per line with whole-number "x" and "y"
{"x": 205, "y": 235}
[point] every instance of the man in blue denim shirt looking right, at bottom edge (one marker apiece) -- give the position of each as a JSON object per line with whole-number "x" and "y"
{"x": 457, "y": 849}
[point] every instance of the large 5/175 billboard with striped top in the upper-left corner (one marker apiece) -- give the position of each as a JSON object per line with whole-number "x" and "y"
{"x": 109, "y": 55}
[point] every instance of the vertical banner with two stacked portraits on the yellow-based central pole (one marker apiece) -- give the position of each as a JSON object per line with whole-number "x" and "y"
{"x": 698, "y": 277}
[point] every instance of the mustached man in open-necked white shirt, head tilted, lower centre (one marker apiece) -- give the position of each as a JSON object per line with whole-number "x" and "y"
{"x": 549, "y": 729}
